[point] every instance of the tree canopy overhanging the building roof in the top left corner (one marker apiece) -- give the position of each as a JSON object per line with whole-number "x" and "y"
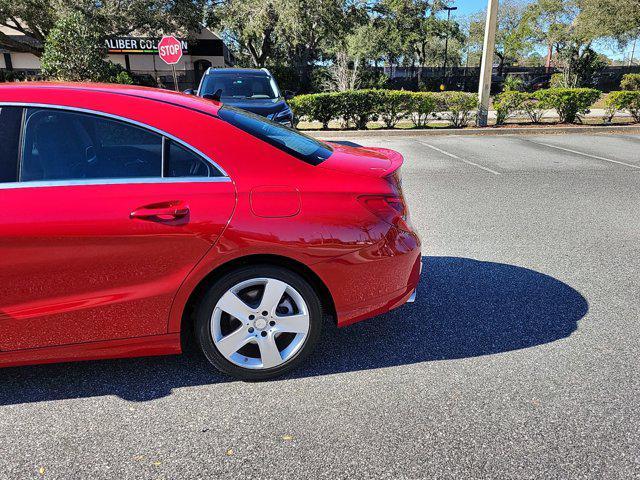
{"x": 36, "y": 18}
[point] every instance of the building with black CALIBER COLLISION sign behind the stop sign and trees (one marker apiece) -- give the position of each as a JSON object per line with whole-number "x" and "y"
{"x": 139, "y": 55}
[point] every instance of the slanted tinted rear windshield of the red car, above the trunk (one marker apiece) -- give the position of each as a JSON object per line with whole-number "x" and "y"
{"x": 301, "y": 146}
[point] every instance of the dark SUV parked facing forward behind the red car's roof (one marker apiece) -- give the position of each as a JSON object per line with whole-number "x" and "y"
{"x": 249, "y": 89}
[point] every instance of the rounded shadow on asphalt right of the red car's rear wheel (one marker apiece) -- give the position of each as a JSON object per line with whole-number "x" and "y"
{"x": 464, "y": 308}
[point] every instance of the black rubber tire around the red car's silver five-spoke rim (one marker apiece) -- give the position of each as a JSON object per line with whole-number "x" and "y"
{"x": 214, "y": 293}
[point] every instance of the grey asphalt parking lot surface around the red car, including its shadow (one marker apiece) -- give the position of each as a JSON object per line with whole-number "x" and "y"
{"x": 519, "y": 359}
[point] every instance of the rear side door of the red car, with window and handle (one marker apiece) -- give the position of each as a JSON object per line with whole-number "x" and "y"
{"x": 100, "y": 222}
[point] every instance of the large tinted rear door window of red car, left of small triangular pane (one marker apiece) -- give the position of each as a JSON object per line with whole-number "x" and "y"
{"x": 63, "y": 145}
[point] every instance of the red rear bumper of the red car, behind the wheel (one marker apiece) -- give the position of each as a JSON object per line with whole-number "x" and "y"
{"x": 374, "y": 280}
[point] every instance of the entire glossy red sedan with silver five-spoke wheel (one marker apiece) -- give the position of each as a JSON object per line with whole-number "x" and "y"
{"x": 134, "y": 218}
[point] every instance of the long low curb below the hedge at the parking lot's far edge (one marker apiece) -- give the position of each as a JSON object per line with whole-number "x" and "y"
{"x": 488, "y": 131}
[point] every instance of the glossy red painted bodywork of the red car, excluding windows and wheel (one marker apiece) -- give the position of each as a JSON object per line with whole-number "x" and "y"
{"x": 83, "y": 280}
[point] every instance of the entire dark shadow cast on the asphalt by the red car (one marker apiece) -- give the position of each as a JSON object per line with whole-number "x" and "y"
{"x": 464, "y": 308}
